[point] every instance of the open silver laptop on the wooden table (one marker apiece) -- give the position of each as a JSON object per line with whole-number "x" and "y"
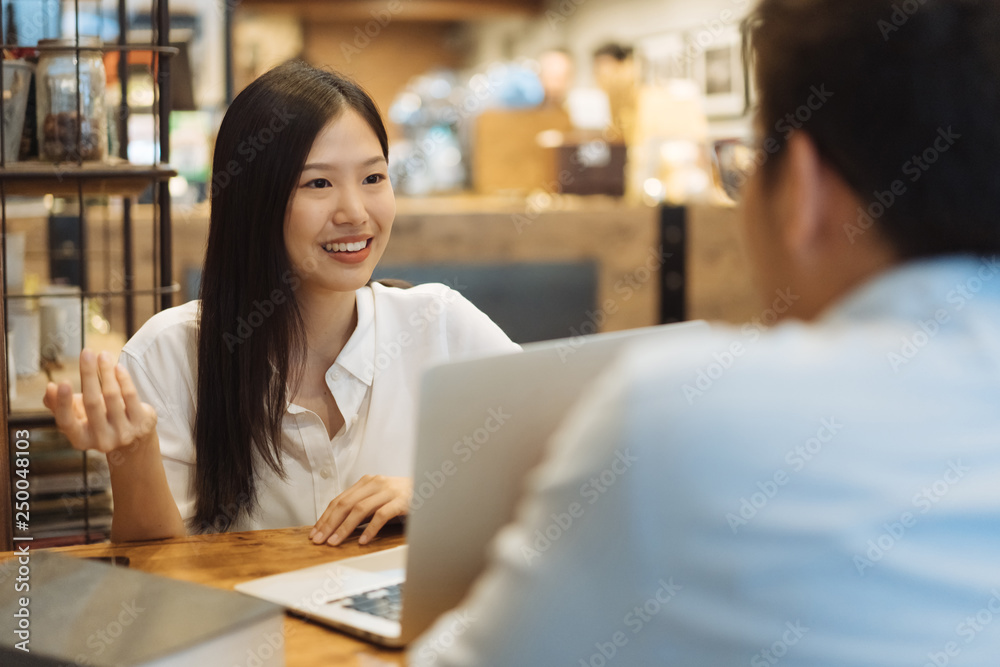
{"x": 483, "y": 424}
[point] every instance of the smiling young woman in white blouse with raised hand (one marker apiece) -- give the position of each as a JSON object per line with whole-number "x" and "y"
{"x": 286, "y": 396}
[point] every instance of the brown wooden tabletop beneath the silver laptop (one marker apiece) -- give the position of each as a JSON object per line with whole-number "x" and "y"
{"x": 228, "y": 559}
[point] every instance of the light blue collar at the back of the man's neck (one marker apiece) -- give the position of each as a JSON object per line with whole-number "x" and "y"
{"x": 919, "y": 287}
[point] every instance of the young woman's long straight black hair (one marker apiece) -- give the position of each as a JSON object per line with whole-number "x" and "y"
{"x": 251, "y": 334}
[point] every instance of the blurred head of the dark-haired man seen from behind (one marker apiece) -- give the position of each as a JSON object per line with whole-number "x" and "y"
{"x": 880, "y": 121}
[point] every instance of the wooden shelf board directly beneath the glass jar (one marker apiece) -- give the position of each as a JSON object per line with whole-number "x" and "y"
{"x": 64, "y": 179}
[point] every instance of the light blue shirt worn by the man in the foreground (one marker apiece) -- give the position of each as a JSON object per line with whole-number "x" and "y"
{"x": 817, "y": 494}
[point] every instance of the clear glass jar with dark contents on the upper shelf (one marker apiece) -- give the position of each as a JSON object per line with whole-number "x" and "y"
{"x": 71, "y": 129}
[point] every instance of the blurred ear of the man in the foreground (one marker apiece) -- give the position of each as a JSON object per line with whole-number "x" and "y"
{"x": 803, "y": 193}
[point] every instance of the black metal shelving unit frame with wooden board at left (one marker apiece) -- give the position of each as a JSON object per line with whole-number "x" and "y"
{"x": 79, "y": 180}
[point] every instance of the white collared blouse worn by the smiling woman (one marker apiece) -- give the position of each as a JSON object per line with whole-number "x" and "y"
{"x": 374, "y": 381}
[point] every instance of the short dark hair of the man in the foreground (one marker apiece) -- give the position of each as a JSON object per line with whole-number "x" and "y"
{"x": 902, "y": 98}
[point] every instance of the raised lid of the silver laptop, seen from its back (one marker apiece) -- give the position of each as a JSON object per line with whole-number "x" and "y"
{"x": 483, "y": 425}
